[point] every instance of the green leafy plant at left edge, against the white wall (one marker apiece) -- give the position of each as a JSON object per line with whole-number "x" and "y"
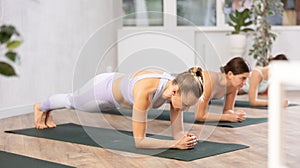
{"x": 9, "y": 41}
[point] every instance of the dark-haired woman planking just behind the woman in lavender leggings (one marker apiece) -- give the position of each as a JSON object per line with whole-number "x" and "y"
{"x": 224, "y": 84}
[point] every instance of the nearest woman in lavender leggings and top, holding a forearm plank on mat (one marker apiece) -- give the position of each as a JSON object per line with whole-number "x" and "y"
{"x": 140, "y": 91}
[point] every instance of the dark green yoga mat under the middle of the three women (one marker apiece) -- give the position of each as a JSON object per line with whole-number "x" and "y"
{"x": 188, "y": 117}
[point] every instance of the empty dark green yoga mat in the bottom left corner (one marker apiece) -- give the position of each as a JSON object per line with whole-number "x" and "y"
{"x": 10, "y": 160}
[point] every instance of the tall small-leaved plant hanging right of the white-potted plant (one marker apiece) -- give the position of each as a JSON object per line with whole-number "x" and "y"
{"x": 263, "y": 35}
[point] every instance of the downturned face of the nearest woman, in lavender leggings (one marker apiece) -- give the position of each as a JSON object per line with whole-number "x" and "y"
{"x": 184, "y": 102}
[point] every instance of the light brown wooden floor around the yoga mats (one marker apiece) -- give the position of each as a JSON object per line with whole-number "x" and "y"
{"x": 76, "y": 155}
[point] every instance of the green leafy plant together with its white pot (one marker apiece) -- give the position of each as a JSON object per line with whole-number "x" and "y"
{"x": 240, "y": 21}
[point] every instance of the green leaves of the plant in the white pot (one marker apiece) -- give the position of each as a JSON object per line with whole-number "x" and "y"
{"x": 240, "y": 21}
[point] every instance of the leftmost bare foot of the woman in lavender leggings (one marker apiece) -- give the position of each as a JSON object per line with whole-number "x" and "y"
{"x": 39, "y": 117}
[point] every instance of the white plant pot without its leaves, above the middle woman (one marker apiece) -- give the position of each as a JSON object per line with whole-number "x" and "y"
{"x": 238, "y": 44}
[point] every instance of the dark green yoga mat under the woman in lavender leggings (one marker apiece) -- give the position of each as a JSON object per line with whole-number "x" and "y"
{"x": 123, "y": 141}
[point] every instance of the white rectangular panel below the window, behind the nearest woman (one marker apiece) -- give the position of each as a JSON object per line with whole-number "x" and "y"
{"x": 170, "y": 50}
